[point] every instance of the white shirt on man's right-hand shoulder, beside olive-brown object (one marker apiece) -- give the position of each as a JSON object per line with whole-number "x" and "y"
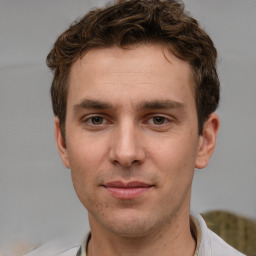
{"x": 212, "y": 244}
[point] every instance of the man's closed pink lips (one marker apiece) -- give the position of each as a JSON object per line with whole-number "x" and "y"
{"x": 129, "y": 190}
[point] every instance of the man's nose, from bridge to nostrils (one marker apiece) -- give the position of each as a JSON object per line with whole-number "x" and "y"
{"x": 126, "y": 148}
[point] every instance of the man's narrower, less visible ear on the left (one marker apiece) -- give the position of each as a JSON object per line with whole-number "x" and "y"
{"x": 61, "y": 144}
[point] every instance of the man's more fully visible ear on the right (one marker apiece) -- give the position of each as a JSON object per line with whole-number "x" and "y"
{"x": 207, "y": 141}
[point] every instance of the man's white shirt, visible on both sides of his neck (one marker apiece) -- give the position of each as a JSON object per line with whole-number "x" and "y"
{"x": 210, "y": 245}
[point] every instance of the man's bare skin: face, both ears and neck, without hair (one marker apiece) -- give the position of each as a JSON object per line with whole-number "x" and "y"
{"x": 131, "y": 117}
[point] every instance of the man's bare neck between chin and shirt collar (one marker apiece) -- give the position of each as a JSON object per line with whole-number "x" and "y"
{"x": 169, "y": 240}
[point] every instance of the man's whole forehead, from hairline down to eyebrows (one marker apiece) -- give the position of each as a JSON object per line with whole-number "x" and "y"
{"x": 149, "y": 69}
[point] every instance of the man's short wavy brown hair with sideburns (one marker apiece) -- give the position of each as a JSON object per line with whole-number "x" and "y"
{"x": 131, "y": 22}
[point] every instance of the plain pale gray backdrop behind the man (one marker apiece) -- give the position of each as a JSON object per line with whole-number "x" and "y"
{"x": 37, "y": 201}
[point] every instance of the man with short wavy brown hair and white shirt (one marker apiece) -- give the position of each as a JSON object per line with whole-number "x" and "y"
{"x": 134, "y": 93}
